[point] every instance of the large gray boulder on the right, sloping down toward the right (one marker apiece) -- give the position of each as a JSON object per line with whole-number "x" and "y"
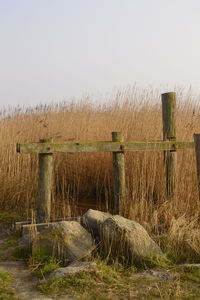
{"x": 127, "y": 241}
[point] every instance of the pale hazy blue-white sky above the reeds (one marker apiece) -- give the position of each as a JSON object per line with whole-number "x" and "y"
{"x": 55, "y": 50}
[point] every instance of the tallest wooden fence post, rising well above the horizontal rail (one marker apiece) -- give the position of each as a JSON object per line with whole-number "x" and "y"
{"x": 169, "y": 134}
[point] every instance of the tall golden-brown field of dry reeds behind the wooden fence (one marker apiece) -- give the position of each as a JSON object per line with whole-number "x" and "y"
{"x": 85, "y": 180}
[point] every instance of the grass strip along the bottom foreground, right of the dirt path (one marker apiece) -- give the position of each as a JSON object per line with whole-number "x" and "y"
{"x": 117, "y": 282}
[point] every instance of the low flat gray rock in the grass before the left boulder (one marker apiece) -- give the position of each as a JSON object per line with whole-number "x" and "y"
{"x": 73, "y": 268}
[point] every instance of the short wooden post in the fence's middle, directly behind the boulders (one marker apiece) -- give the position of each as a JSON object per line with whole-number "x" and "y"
{"x": 119, "y": 176}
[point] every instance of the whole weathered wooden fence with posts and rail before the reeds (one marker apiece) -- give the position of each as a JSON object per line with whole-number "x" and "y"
{"x": 46, "y": 147}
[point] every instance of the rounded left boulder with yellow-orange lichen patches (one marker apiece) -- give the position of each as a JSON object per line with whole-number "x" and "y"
{"x": 67, "y": 240}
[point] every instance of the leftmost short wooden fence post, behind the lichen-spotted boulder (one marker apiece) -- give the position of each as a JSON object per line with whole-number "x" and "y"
{"x": 43, "y": 207}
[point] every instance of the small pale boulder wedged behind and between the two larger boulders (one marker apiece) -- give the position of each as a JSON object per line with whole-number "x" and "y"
{"x": 92, "y": 221}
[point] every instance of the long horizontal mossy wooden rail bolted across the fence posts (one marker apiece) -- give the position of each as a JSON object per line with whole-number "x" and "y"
{"x": 73, "y": 147}
